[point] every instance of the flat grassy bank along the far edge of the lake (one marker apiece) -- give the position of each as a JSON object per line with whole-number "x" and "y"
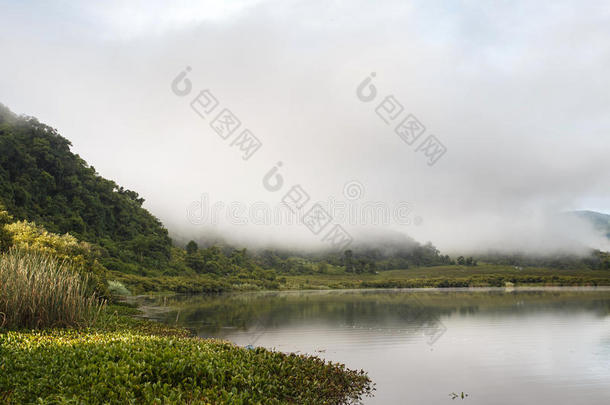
{"x": 483, "y": 275}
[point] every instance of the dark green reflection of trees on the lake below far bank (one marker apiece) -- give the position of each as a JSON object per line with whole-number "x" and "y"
{"x": 389, "y": 308}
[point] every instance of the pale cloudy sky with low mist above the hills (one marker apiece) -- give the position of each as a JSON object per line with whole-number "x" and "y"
{"x": 512, "y": 96}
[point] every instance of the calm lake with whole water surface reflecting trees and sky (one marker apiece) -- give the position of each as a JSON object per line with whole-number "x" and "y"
{"x": 522, "y": 346}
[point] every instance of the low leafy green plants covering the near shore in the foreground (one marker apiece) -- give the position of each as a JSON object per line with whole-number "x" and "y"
{"x": 128, "y": 361}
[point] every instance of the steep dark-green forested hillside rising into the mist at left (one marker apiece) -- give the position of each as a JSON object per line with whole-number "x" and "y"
{"x": 41, "y": 180}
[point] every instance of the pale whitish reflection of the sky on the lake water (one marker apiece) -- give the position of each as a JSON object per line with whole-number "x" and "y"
{"x": 533, "y": 358}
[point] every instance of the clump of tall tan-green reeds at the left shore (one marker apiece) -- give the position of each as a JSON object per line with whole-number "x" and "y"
{"x": 36, "y": 291}
